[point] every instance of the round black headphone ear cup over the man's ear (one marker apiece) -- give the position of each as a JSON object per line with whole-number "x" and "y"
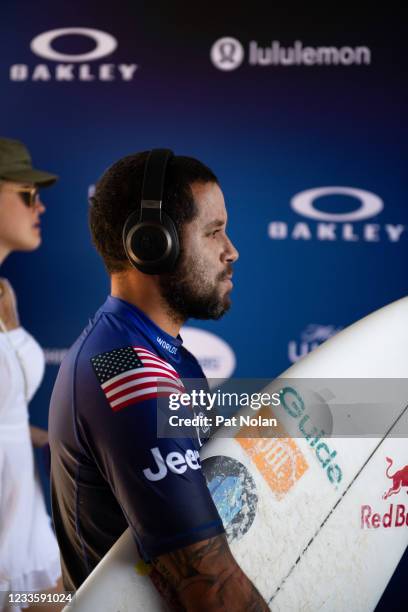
{"x": 151, "y": 247}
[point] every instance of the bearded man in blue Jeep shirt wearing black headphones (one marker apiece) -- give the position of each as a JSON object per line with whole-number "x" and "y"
{"x": 159, "y": 223}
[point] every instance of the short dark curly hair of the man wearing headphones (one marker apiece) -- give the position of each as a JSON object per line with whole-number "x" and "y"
{"x": 118, "y": 193}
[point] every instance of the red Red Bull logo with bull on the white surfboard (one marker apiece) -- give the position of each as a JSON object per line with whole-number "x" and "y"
{"x": 396, "y": 515}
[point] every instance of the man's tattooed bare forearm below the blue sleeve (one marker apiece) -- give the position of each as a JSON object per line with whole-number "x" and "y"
{"x": 206, "y": 577}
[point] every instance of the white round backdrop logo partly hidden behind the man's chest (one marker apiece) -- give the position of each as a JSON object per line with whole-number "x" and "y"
{"x": 215, "y": 356}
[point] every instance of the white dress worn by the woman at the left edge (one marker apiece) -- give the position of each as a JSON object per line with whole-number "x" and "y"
{"x": 29, "y": 555}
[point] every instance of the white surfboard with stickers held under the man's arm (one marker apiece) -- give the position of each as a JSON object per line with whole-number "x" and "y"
{"x": 315, "y": 515}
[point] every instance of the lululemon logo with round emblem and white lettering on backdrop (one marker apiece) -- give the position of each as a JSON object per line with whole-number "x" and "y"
{"x": 228, "y": 53}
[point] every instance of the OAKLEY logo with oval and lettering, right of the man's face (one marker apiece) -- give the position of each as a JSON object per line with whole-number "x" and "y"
{"x": 335, "y": 226}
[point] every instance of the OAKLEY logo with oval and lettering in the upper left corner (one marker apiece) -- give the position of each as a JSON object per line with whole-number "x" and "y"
{"x": 73, "y": 66}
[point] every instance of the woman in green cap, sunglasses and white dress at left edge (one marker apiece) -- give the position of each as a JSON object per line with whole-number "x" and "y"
{"x": 29, "y": 555}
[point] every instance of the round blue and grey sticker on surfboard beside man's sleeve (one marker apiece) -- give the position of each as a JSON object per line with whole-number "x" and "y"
{"x": 234, "y": 493}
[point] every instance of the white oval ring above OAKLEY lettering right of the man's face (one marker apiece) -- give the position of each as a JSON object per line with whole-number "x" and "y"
{"x": 370, "y": 204}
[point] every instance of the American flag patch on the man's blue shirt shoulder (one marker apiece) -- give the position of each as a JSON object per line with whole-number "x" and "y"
{"x": 133, "y": 374}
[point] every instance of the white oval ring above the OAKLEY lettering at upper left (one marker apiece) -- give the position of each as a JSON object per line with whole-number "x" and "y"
{"x": 104, "y": 45}
